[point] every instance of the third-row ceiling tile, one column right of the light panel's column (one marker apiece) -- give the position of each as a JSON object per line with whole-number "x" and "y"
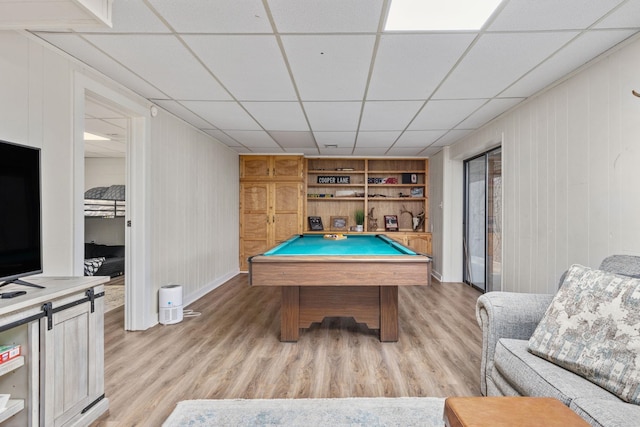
{"x": 445, "y": 114}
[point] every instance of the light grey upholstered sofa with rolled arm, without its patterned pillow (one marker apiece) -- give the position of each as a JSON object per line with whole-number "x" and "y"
{"x": 509, "y": 368}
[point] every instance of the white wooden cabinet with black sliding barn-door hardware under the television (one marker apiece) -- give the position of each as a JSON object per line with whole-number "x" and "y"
{"x": 60, "y": 378}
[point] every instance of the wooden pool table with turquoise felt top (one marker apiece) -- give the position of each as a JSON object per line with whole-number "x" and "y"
{"x": 357, "y": 277}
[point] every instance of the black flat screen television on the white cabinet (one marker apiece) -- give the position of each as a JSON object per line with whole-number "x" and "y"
{"x": 20, "y": 213}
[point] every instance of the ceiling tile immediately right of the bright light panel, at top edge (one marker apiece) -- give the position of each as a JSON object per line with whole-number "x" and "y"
{"x": 525, "y": 15}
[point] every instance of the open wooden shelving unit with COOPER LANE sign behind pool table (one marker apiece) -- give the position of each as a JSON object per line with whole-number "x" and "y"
{"x": 340, "y": 186}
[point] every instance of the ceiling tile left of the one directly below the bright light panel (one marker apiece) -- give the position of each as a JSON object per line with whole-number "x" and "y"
{"x": 329, "y": 67}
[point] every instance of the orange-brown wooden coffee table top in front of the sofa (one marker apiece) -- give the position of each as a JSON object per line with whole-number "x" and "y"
{"x": 509, "y": 411}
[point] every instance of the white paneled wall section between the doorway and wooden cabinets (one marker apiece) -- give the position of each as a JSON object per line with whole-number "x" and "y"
{"x": 194, "y": 208}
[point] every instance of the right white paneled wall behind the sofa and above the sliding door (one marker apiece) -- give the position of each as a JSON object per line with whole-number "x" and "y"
{"x": 571, "y": 167}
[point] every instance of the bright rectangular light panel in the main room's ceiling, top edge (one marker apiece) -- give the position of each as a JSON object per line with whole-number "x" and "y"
{"x": 439, "y": 15}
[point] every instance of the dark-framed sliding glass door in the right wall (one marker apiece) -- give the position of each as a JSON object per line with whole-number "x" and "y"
{"x": 483, "y": 221}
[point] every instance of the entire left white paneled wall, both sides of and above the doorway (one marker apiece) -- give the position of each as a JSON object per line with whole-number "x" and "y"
{"x": 193, "y": 212}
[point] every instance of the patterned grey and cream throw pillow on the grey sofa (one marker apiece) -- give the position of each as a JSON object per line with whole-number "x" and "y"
{"x": 592, "y": 328}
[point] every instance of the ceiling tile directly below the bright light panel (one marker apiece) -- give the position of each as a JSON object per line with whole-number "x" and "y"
{"x": 405, "y": 65}
